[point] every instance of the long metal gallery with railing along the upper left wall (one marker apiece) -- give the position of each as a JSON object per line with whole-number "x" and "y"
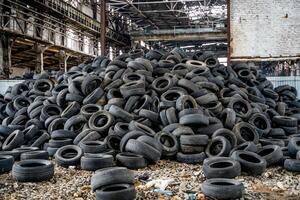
{"x": 38, "y": 27}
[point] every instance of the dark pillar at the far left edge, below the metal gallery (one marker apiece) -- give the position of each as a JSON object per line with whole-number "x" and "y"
{"x": 5, "y": 55}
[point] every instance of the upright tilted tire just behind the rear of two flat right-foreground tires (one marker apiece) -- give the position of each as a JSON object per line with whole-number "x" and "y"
{"x": 213, "y": 148}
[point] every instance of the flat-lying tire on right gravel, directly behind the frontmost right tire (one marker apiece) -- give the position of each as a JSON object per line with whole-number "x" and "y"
{"x": 221, "y": 167}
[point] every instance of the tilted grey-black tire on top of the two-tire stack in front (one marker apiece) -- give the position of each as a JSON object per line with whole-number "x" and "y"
{"x": 111, "y": 175}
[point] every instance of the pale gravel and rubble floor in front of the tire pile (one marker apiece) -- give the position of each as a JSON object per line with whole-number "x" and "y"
{"x": 274, "y": 183}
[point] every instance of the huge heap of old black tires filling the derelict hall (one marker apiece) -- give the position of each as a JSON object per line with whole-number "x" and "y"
{"x": 140, "y": 108}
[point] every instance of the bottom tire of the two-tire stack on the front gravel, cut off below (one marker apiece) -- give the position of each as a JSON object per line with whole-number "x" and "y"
{"x": 116, "y": 192}
